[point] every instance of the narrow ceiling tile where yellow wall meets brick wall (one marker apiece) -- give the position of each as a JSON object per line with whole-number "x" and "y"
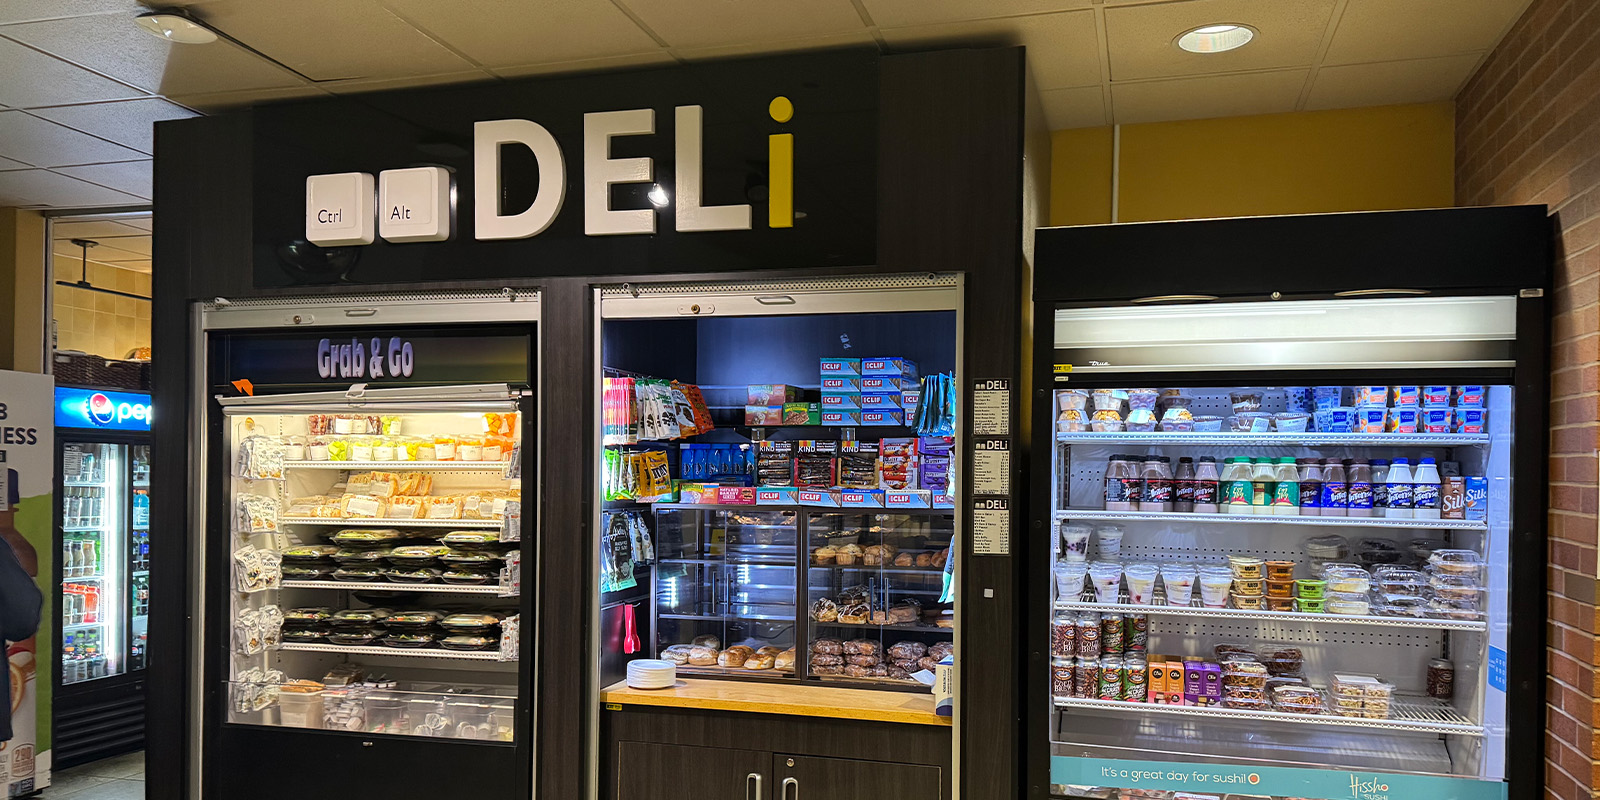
{"x": 1391, "y": 82}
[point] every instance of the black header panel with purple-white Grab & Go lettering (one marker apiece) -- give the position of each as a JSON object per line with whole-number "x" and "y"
{"x": 330, "y": 359}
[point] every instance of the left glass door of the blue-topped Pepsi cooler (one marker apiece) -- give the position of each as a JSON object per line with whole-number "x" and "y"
{"x": 94, "y": 574}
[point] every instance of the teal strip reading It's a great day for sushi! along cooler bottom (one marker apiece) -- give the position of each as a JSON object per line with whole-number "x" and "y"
{"x": 1271, "y": 782}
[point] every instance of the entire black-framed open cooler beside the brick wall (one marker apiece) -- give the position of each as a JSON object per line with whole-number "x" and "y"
{"x": 1290, "y": 532}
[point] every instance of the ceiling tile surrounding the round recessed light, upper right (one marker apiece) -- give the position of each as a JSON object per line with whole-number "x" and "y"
{"x": 1142, "y": 39}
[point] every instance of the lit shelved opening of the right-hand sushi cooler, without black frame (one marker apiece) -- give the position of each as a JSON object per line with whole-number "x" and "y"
{"x": 1282, "y": 583}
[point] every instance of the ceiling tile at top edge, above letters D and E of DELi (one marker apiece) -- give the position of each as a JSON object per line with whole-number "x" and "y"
{"x": 542, "y": 33}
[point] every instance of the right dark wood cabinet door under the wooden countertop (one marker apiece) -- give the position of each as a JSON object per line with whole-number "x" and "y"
{"x": 807, "y": 777}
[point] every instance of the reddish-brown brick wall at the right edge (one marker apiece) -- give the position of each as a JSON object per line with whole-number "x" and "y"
{"x": 1529, "y": 132}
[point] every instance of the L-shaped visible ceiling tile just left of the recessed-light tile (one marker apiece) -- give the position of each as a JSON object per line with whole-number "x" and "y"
{"x": 1062, "y": 49}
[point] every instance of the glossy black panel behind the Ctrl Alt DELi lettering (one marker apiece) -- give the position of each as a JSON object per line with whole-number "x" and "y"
{"x": 831, "y": 118}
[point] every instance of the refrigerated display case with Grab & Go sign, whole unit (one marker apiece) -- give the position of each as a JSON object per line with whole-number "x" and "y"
{"x": 366, "y": 543}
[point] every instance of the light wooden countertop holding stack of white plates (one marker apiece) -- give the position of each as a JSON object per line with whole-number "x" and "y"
{"x": 914, "y": 708}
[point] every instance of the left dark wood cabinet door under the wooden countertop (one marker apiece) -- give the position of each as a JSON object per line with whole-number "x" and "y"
{"x": 678, "y": 772}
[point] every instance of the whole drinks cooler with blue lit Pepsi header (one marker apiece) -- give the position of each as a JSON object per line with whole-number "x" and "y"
{"x": 103, "y": 530}
